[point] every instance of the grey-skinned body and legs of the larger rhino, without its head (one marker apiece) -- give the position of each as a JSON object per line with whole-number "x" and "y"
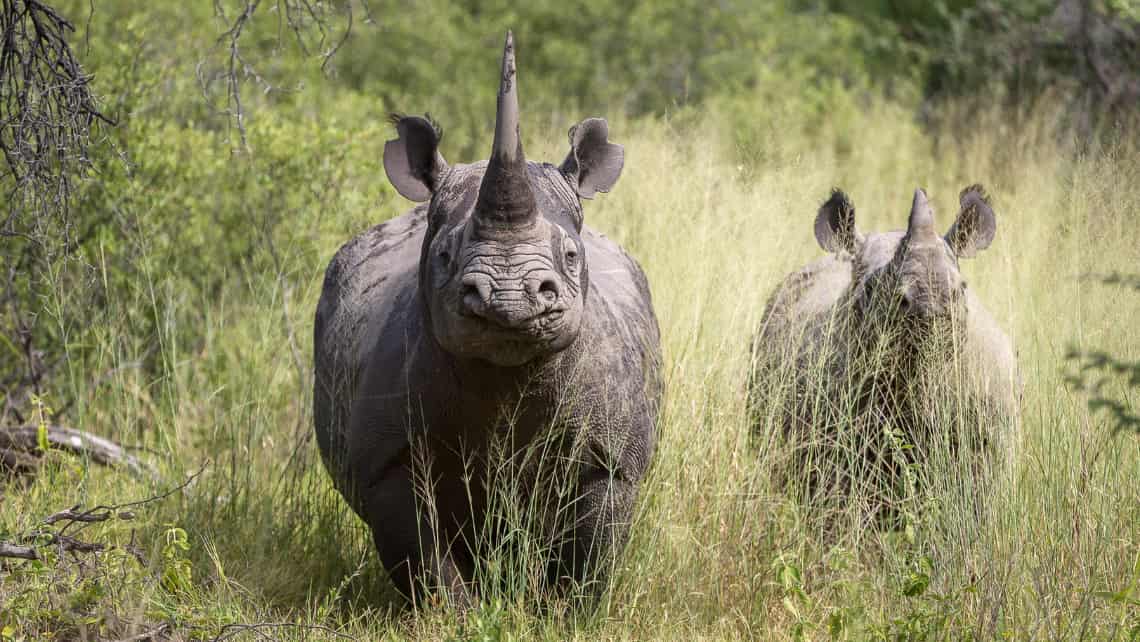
{"x": 382, "y": 383}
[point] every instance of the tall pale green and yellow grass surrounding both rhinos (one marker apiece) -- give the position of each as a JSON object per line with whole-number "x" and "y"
{"x": 718, "y": 551}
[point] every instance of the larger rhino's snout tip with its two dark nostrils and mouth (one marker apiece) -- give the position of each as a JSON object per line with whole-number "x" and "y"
{"x": 510, "y": 304}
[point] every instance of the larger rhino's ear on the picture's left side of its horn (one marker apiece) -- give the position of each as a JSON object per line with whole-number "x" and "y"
{"x": 413, "y": 162}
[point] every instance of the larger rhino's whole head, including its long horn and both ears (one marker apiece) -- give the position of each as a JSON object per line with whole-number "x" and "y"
{"x": 503, "y": 270}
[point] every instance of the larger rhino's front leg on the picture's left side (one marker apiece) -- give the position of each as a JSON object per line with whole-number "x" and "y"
{"x": 414, "y": 557}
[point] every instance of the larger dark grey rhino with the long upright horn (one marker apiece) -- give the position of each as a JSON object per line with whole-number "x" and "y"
{"x": 454, "y": 339}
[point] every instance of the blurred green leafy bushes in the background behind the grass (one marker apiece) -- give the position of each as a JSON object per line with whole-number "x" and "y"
{"x": 305, "y": 80}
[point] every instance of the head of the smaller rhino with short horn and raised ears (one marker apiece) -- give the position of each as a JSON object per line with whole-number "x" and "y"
{"x": 910, "y": 279}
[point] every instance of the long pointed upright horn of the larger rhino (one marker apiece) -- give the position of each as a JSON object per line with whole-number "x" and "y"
{"x": 506, "y": 198}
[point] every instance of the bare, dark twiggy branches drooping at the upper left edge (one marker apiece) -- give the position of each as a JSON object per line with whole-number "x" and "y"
{"x": 47, "y": 118}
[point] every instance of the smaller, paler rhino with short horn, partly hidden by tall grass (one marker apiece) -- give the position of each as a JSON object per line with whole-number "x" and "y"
{"x": 881, "y": 351}
